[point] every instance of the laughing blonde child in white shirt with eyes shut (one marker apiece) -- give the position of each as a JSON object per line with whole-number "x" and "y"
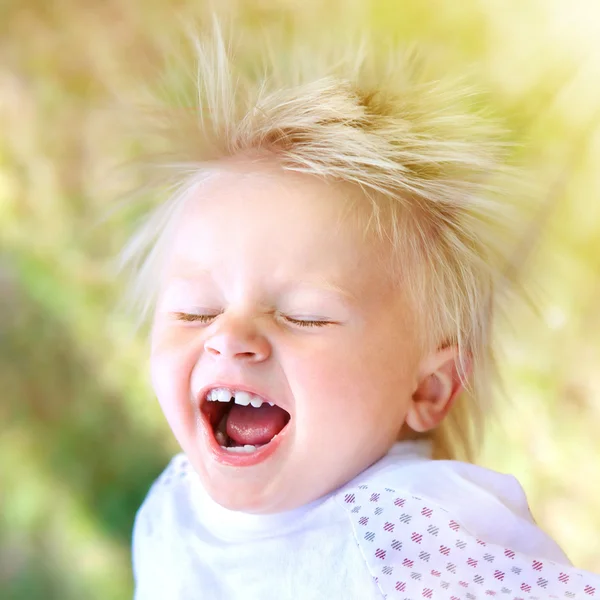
{"x": 322, "y": 288}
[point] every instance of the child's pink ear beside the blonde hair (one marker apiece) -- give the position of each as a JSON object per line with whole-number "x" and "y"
{"x": 439, "y": 384}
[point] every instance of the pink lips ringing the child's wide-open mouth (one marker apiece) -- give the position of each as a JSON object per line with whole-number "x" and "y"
{"x": 233, "y": 459}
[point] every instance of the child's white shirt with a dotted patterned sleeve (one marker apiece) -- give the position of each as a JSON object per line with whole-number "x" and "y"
{"x": 407, "y": 528}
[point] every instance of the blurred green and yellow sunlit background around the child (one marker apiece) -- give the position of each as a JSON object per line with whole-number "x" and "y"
{"x": 81, "y": 434}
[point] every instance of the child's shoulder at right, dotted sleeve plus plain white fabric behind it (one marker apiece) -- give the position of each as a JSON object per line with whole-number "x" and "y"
{"x": 418, "y": 545}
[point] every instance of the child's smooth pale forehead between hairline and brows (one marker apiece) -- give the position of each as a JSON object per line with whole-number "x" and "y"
{"x": 279, "y": 219}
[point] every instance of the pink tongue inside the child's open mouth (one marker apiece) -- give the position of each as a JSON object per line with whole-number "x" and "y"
{"x": 249, "y": 425}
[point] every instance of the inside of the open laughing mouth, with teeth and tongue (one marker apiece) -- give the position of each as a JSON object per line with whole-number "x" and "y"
{"x": 242, "y": 422}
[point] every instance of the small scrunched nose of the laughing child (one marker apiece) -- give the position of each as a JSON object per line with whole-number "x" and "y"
{"x": 238, "y": 339}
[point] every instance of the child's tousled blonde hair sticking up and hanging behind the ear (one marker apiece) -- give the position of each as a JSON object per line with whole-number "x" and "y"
{"x": 429, "y": 166}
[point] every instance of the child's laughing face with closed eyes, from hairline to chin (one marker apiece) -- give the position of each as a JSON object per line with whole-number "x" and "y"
{"x": 269, "y": 290}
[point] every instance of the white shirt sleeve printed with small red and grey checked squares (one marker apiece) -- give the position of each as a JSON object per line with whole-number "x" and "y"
{"x": 416, "y": 549}
